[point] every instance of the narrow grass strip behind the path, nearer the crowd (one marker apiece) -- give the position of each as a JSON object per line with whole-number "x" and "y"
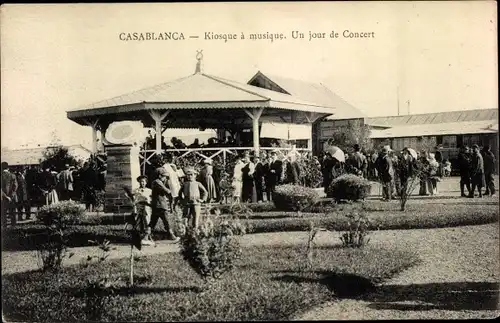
{"x": 383, "y": 216}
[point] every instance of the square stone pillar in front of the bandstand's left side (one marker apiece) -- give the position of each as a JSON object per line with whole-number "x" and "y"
{"x": 123, "y": 169}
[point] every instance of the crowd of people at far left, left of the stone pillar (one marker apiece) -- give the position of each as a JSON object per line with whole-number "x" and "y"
{"x": 32, "y": 187}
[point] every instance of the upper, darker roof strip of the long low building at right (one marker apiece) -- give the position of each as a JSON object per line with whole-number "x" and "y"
{"x": 434, "y": 118}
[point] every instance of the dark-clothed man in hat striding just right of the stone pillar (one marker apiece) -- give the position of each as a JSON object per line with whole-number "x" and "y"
{"x": 160, "y": 202}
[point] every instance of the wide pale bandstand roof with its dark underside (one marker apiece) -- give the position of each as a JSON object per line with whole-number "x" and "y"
{"x": 193, "y": 98}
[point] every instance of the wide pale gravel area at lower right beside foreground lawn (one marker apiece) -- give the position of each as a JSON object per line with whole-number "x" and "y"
{"x": 457, "y": 279}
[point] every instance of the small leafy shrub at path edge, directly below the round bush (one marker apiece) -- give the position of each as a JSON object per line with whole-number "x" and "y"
{"x": 358, "y": 229}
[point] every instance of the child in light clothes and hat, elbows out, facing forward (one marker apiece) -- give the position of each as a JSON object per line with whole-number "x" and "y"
{"x": 192, "y": 194}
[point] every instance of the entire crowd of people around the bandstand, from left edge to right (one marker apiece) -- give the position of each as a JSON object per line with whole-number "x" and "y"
{"x": 253, "y": 179}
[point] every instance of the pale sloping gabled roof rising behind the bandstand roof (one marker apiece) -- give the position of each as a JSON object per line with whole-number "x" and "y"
{"x": 312, "y": 92}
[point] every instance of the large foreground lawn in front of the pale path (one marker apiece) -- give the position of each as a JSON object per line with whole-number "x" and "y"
{"x": 268, "y": 283}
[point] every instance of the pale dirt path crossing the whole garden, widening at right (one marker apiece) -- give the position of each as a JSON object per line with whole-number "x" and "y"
{"x": 457, "y": 278}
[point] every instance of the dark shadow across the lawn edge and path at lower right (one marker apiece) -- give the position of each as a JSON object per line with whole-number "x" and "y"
{"x": 454, "y": 296}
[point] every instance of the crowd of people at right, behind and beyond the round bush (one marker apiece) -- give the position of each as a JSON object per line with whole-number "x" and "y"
{"x": 393, "y": 170}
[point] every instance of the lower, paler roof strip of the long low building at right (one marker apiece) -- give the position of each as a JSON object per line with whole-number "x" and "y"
{"x": 436, "y": 129}
